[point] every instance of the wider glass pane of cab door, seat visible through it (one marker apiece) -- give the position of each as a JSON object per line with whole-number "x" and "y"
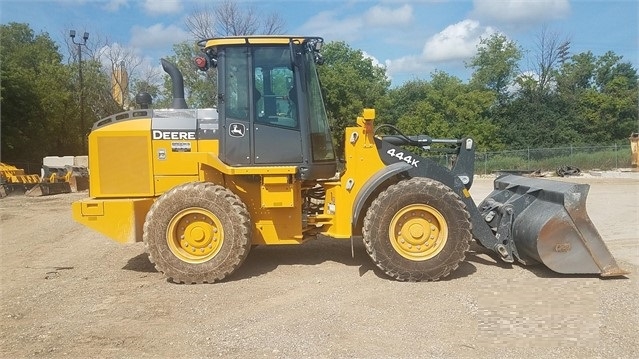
{"x": 275, "y": 96}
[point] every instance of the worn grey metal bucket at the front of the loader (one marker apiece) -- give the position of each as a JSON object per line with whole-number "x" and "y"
{"x": 550, "y": 225}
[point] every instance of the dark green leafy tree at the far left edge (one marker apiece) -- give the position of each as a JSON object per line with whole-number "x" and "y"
{"x": 38, "y": 109}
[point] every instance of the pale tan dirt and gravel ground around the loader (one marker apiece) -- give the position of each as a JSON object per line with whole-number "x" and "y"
{"x": 70, "y": 292}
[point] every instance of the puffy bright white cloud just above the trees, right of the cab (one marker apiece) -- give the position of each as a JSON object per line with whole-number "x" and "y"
{"x": 456, "y": 42}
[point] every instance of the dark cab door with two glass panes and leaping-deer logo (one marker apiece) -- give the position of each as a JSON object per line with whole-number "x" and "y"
{"x": 259, "y": 107}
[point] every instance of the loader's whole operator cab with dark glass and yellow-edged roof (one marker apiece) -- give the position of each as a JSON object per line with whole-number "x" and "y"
{"x": 270, "y": 104}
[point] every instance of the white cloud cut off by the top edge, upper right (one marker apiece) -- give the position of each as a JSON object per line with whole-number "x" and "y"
{"x": 519, "y": 12}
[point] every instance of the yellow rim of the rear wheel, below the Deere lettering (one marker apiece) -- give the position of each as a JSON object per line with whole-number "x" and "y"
{"x": 195, "y": 235}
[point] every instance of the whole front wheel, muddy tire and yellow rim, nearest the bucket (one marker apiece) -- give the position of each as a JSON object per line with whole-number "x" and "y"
{"x": 417, "y": 230}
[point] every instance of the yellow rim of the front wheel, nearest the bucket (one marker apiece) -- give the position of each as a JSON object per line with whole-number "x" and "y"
{"x": 418, "y": 232}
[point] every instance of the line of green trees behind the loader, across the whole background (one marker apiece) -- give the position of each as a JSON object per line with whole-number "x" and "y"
{"x": 577, "y": 98}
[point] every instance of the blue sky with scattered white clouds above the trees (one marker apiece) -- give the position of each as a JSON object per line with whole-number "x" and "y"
{"x": 411, "y": 38}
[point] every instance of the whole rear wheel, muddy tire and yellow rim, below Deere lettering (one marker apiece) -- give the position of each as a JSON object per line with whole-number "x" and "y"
{"x": 197, "y": 233}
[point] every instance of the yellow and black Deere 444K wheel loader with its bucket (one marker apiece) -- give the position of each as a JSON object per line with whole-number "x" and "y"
{"x": 201, "y": 187}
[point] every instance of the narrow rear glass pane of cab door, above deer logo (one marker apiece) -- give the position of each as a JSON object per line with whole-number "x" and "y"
{"x": 237, "y": 99}
